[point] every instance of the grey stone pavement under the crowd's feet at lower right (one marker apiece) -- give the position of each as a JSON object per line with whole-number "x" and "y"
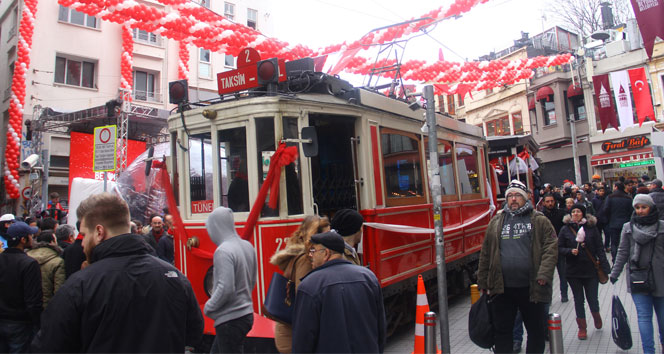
{"x": 599, "y": 341}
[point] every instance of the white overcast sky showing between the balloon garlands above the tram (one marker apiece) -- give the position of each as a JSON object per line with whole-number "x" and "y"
{"x": 490, "y": 26}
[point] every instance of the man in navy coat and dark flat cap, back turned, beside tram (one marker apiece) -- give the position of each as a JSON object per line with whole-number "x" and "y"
{"x": 339, "y": 305}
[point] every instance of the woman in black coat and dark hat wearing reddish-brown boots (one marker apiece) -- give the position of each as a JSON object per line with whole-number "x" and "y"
{"x": 581, "y": 272}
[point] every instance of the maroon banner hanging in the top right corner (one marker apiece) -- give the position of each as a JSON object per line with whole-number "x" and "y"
{"x": 649, "y": 14}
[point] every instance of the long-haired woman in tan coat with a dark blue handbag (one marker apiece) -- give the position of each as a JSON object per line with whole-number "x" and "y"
{"x": 294, "y": 262}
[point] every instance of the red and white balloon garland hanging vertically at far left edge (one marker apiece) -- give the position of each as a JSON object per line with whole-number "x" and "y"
{"x": 14, "y": 128}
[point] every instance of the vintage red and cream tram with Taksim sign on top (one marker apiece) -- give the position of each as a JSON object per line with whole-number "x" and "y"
{"x": 371, "y": 156}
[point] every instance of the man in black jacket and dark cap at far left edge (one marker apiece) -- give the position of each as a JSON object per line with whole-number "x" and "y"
{"x": 20, "y": 291}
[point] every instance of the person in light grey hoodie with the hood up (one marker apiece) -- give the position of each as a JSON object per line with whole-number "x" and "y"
{"x": 230, "y": 305}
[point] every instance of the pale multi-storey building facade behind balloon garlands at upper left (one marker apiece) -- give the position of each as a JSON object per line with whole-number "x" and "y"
{"x": 76, "y": 65}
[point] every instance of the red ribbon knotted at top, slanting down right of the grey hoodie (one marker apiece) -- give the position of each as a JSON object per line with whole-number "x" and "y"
{"x": 284, "y": 156}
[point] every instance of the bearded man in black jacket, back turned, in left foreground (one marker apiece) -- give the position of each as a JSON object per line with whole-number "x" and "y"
{"x": 125, "y": 300}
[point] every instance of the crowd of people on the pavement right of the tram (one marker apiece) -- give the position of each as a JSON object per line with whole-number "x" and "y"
{"x": 574, "y": 230}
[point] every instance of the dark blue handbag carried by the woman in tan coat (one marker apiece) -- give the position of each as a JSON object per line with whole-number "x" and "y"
{"x": 280, "y": 297}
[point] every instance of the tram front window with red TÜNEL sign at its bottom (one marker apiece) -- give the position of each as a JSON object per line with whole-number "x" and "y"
{"x": 200, "y": 173}
